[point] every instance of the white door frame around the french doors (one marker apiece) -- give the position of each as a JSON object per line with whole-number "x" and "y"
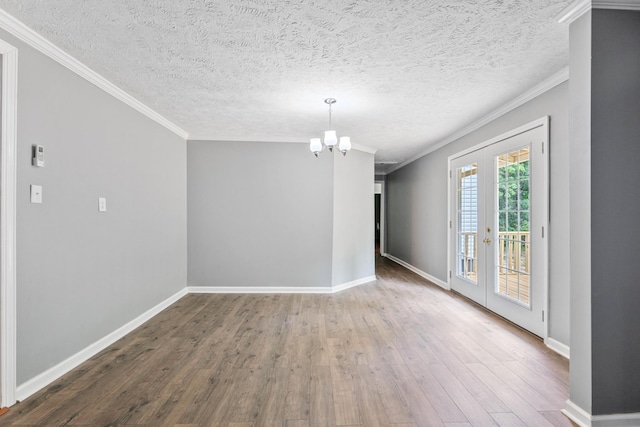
{"x": 544, "y": 122}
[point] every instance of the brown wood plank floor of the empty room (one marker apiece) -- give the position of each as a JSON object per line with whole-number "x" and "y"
{"x": 396, "y": 352}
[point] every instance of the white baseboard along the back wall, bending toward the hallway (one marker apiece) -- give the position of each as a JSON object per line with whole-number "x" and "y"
{"x": 278, "y": 289}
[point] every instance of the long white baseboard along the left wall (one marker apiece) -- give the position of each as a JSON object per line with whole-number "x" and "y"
{"x": 47, "y": 377}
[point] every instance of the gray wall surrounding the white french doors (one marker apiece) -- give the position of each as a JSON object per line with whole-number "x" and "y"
{"x": 417, "y": 202}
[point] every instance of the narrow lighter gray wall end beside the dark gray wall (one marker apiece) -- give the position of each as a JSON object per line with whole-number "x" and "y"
{"x": 580, "y": 208}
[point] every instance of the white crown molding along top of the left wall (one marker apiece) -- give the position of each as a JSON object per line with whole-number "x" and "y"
{"x": 35, "y": 40}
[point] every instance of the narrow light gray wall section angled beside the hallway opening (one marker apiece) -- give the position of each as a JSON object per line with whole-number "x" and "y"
{"x": 353, "y": 217}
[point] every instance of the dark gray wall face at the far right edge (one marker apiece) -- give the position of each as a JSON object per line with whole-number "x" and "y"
{"x": 615, "y": 211}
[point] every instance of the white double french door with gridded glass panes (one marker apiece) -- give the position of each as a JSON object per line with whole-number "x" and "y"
{"x": 499, "y": 213}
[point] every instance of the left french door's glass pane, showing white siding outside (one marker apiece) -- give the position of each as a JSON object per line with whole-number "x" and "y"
{"x": 467, "y": 215}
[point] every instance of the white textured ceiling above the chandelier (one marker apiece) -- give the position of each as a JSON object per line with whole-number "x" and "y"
{"x": 406, "y": 73}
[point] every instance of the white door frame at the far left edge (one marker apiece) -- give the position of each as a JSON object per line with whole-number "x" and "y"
{"x": 8, "y": 174}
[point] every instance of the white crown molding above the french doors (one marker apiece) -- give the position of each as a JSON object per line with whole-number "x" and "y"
{"x": 548, "y": 84}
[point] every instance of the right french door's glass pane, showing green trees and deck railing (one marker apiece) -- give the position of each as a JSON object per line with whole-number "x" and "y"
{"x": 514, "y": 247}
